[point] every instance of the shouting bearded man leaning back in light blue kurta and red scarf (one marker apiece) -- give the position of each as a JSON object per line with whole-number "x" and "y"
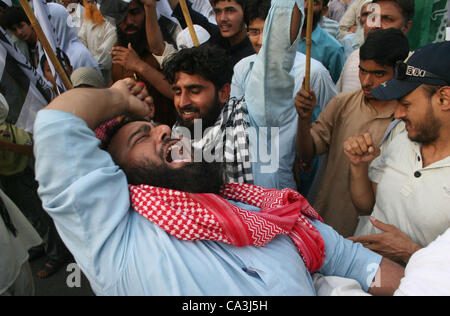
{"x": 147, "y": 240}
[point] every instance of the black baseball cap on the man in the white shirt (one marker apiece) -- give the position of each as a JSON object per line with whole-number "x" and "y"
{"x": 429, "y": 64}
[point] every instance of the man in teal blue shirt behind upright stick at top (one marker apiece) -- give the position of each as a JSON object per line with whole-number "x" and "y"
{"x": 325, "y": 48}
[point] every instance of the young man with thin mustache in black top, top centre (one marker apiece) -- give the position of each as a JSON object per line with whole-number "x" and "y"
{"x": 230, "y": 33}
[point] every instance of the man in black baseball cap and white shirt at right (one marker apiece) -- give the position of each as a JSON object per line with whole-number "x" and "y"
{"x": 408, "y": 185}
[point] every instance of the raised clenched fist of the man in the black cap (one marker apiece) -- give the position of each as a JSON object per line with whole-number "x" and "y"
{"x": 360, "y": 149}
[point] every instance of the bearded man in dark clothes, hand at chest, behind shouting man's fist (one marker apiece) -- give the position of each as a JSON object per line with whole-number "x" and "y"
{"x": 132, "y": 58}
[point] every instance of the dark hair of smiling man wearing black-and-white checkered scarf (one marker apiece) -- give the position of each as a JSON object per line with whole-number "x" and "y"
{"x": 210, "y": 62}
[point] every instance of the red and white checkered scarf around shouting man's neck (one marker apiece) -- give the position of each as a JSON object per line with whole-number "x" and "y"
{"x": 194, "y": 217}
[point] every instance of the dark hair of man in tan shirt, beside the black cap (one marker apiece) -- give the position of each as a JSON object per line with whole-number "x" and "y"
{"x": 385, "y": 47}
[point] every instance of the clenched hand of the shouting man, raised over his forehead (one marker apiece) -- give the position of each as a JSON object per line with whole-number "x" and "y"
{"x": 136, "y": 96}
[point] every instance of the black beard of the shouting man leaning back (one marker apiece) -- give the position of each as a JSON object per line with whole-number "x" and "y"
{"x": 198, "y": 177}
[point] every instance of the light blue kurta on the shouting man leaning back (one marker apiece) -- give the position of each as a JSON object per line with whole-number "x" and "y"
{"x": 122, "y": 253}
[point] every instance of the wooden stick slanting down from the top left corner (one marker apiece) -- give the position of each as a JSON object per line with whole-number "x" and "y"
{"x": 45, "y": 44}
